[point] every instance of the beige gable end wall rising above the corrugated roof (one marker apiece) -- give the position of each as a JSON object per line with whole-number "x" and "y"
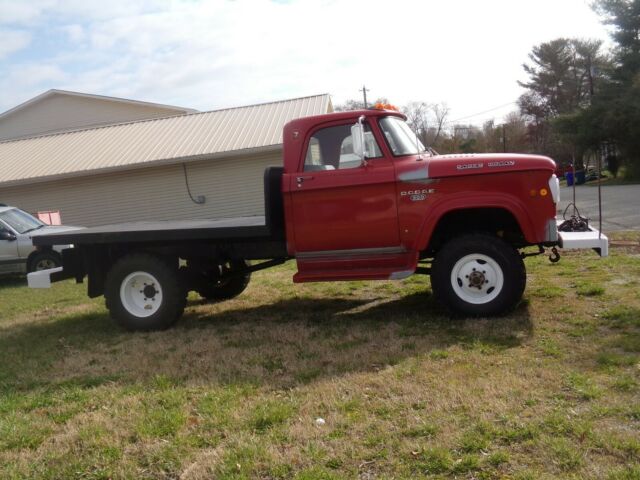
{"x": 61, "y": 112}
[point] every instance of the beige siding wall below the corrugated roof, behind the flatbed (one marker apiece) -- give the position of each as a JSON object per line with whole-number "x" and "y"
{"x": 232, "y": 187}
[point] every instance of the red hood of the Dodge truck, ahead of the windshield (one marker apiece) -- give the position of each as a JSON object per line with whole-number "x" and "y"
{"x": 486, "y": 163}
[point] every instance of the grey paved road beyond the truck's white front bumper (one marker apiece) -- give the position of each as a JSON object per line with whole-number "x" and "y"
{"x": 620, "y": 205}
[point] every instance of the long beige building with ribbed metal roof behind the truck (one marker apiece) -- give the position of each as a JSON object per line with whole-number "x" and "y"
{"x": 180, "y": 165}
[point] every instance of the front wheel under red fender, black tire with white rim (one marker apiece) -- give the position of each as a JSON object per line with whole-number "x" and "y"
{"x": 479, "y": 260}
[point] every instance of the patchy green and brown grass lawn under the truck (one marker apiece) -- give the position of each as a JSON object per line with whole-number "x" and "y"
{"x": 234, "y": 391}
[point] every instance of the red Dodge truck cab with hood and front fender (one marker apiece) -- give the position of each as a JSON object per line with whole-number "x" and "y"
{"x": 393, "y": 203}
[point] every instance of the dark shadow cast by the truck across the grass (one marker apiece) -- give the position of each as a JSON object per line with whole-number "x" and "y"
{"x": 280, "y": 345}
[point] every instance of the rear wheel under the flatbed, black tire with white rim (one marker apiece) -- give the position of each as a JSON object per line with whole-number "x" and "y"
{"x": 130, "y": 309}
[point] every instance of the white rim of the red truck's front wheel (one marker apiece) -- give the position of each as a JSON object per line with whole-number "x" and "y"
{"x": 477, "y": 278}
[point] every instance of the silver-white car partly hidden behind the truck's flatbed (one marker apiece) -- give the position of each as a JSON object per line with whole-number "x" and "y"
{"x": 17, "y": 253}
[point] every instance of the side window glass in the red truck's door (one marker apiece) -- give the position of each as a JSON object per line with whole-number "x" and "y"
{"x": 331, "y": 148}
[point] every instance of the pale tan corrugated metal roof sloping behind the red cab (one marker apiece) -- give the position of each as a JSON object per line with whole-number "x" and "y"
{"x": 165, "y": 140}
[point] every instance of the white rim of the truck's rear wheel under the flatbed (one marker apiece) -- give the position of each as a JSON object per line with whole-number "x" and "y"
{"x": 141, "y": 294}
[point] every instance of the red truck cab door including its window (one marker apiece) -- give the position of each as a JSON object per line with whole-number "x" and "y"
{"x": 340, "y": 203}
